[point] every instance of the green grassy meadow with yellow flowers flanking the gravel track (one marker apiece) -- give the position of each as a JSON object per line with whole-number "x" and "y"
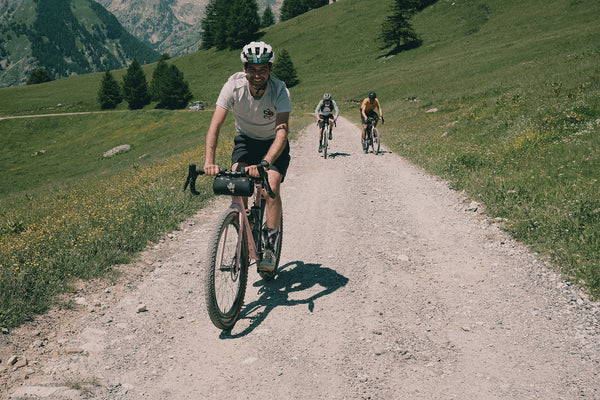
{"x": 515, "y": 86}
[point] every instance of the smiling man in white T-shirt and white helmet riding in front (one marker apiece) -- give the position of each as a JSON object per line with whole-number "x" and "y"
{"x": 261, "y": 106}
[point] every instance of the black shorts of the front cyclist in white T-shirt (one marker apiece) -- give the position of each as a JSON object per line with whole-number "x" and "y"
{"x": 252, "y": 151}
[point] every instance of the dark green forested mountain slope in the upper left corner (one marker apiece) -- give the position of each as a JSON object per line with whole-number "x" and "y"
{"x": 65, "y": 37}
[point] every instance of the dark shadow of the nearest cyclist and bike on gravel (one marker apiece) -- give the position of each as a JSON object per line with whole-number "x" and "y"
{"x": 294, "y": 277}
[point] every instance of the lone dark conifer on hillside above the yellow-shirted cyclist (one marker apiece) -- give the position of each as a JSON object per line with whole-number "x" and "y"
{"x": 396, "y": 31}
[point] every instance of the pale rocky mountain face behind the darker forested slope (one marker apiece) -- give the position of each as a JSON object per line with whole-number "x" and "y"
{"x": 169, "y": 26}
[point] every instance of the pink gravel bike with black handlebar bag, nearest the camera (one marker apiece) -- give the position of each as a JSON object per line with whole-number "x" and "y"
{"x": 237, "y": 241}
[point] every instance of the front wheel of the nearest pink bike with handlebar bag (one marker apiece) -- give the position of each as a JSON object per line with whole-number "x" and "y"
{"x": 226, "y": 272}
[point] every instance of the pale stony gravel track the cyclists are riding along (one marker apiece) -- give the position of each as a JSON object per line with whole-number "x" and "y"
{"x": 392, "y": 287}
